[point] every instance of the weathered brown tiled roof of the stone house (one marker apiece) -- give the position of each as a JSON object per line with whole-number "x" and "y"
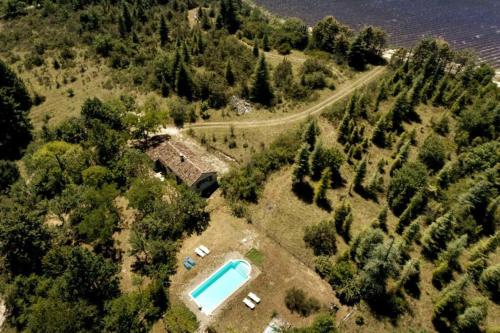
{"x": 180, "y": 160}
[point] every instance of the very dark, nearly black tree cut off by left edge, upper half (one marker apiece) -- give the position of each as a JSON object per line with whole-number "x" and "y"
{"x": 15, "y": 104}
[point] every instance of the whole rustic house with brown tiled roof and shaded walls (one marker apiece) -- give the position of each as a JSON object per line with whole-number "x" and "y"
{"x": 186, "y": 166}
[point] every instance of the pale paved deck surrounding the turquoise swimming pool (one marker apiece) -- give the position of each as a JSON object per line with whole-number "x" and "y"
{"x": 209, "y": 269}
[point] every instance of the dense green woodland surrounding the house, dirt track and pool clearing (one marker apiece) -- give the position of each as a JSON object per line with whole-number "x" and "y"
{"x": 63, "y": 186}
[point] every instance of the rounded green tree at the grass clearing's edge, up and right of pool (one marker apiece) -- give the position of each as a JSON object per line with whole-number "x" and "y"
{"x": 321, "y": 238}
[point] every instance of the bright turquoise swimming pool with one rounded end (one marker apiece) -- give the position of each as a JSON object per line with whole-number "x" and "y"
{"x": 212, "y": 292}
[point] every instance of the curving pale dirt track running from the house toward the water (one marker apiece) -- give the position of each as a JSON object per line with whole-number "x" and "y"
{"x": 342, "y": 91}
